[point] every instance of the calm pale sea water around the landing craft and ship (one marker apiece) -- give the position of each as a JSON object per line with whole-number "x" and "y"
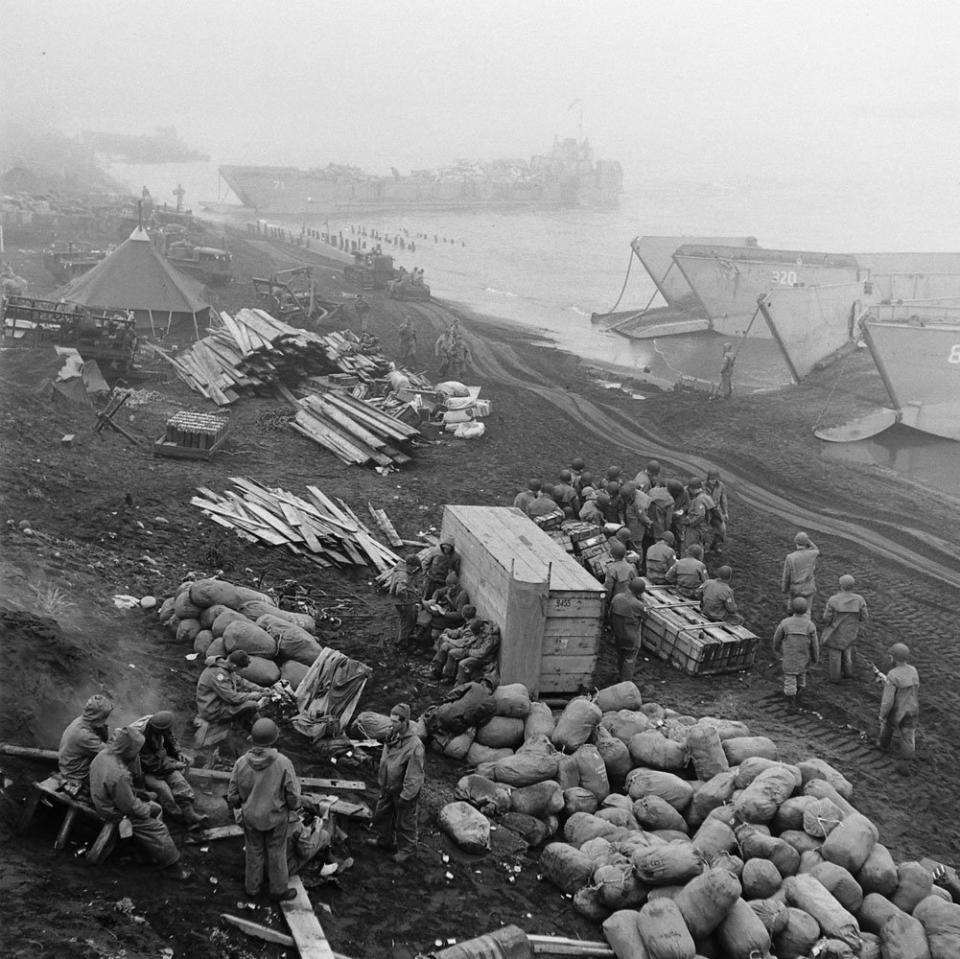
{"x": 549, "y": 270}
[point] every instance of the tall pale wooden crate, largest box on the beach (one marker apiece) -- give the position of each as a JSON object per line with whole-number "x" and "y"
{"x": 548, "y": 607}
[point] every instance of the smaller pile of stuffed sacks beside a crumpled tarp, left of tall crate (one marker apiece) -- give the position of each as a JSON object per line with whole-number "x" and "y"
{"x": 218, "y": 617}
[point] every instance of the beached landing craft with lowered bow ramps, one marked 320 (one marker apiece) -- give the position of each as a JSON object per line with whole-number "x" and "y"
{"x": 905, "y": 307}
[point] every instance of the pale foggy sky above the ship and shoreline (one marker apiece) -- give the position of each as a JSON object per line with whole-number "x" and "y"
{"x": 717, "y": 90}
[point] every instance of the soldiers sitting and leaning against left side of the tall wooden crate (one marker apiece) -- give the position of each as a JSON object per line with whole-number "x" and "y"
{"x": 435, "y": 611}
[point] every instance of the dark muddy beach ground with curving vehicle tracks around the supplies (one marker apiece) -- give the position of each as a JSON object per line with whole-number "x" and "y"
{"x": 107, "y": 518}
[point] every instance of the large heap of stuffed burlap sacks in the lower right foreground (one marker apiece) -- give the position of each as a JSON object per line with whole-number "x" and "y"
{"x": 688, "y": 837}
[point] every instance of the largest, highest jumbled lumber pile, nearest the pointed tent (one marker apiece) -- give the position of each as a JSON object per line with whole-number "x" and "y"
{"x": 253, "y": 351}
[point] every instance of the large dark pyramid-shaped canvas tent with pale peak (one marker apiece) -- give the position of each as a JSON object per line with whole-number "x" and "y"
{"x": 137, "y": 277}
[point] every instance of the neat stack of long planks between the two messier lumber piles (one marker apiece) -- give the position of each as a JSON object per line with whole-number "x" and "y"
{"x": 355, "y": 431}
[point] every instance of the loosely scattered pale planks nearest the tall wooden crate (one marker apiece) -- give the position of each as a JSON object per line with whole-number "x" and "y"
{"x": 322, "y": 530}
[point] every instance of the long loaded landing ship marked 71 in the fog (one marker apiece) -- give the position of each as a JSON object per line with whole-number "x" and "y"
{"x": 567, "y": 176}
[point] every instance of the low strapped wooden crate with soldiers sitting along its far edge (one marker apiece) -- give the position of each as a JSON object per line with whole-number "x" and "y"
{"x": 675, "y": 630}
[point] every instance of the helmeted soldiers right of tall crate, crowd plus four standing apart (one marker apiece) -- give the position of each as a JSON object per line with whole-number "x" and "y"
{"x": 650, "y": 518}
